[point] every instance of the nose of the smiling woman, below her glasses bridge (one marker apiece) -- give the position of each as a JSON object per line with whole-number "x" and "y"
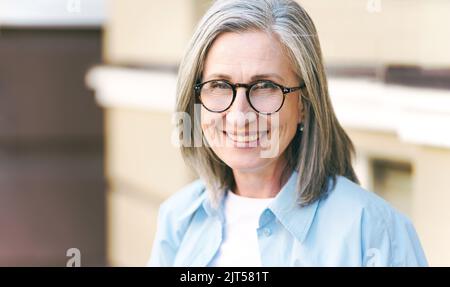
{"x": 240, "y": 111}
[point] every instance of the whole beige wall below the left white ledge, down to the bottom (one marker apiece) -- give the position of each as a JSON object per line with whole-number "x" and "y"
{"x": 142, "y": 168}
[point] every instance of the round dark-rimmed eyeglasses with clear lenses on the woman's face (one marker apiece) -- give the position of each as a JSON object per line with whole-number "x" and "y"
{"x": 264, "y": 96}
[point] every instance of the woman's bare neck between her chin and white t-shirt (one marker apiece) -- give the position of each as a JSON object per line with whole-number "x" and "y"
{"x": 263, "y": 183}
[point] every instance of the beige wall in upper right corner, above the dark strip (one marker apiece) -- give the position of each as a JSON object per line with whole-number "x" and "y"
{"x": 409, "y": 32}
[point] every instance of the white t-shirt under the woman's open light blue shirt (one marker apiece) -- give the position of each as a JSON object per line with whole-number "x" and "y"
{"x": 240, "y": 244}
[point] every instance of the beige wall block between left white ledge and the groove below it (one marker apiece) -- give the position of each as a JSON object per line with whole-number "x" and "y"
{"x": 140, "y": 152}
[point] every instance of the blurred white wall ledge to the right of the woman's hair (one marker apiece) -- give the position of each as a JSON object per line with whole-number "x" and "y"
{"x": 417, "y": 115}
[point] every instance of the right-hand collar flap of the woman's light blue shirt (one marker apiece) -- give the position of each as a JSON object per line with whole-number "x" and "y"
{"x": 286, "y": 208}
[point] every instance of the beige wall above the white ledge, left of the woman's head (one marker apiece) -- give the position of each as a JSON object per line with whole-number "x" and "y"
{"x": 150, "y": 32}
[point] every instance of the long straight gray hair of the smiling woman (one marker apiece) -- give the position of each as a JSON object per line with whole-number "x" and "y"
{"x": 323, "y": 150}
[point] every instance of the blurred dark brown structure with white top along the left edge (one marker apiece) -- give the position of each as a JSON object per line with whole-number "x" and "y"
{"x": 52, "y": 187}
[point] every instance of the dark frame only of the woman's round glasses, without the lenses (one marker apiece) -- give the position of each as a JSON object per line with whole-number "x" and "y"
{"x": 248, "y": 87}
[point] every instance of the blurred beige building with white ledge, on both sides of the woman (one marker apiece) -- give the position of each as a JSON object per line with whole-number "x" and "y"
{"x": 388, "y": 66}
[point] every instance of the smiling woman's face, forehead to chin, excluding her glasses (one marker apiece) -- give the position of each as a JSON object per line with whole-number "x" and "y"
{"x": 244, "y": 139}
